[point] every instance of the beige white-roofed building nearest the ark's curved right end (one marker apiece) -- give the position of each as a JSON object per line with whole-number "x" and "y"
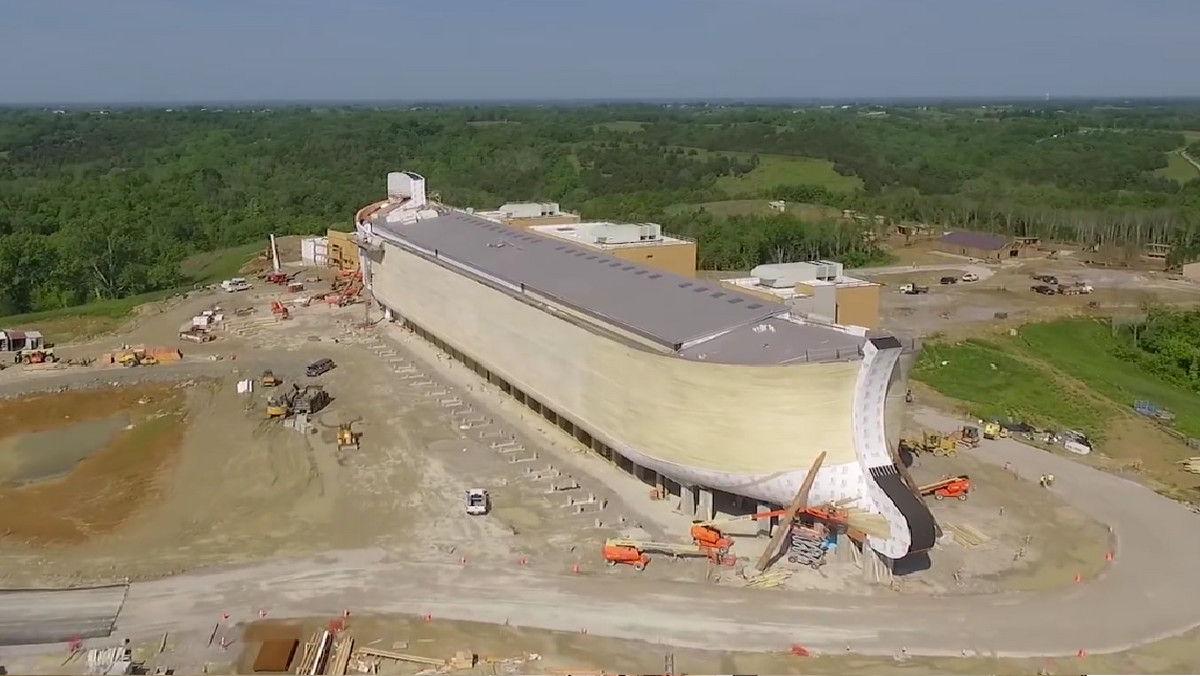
{"x": 817, "y": 289}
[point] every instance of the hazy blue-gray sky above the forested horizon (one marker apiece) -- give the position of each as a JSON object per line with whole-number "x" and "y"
{"x": 129, "y": 51}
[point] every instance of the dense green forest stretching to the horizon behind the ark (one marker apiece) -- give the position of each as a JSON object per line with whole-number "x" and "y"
{"x": 104, "y": 205}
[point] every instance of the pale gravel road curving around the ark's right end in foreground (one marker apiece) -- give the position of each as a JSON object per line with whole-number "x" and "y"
{"x": 1147, "y": 595}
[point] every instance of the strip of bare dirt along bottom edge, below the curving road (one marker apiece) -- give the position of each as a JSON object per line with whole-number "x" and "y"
{"x": 517, "y": 650}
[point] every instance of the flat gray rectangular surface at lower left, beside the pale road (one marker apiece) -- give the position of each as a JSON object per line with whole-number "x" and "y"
{"x": 52, "y": 617}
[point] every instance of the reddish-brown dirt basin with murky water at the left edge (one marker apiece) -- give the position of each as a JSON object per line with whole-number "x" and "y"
{"x": 77, "y": 465}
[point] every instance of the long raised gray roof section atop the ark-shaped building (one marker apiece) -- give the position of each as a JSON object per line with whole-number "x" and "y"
{"x": 655, "y": 304}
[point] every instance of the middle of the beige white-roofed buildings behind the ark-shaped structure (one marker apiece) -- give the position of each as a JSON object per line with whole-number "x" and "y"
{"x": 637, "y": 243}
